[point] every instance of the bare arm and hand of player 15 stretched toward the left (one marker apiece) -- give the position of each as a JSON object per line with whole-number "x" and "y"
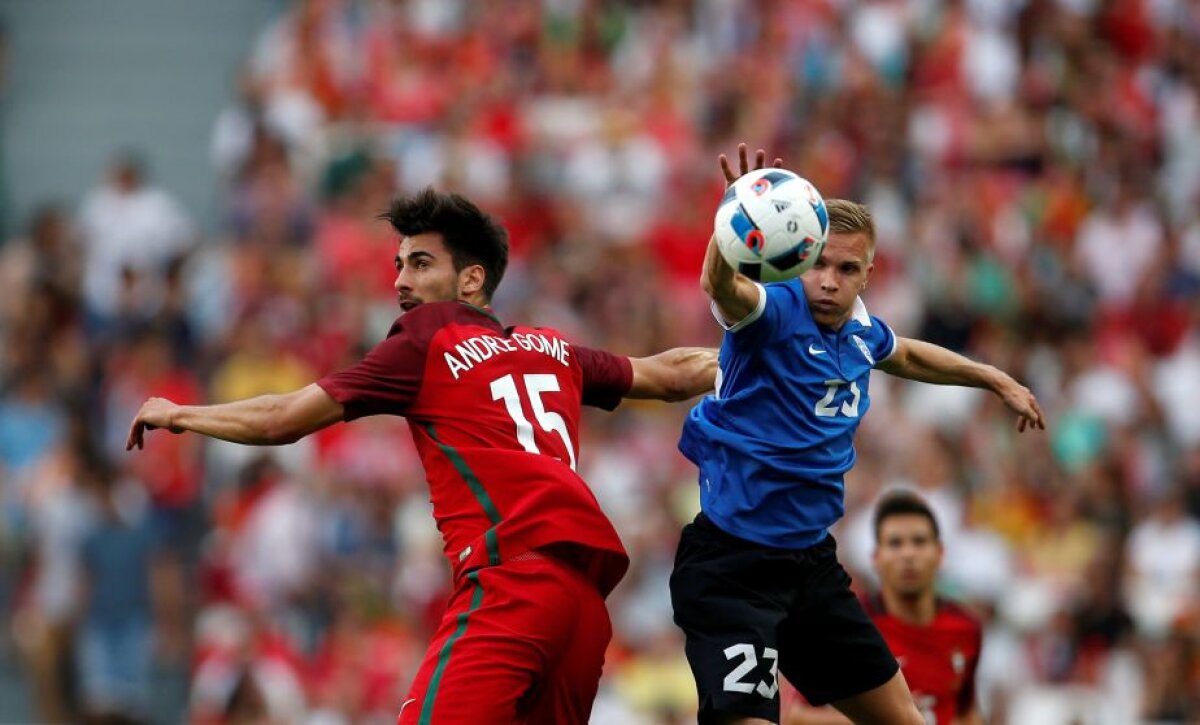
{"x": 263, "y": 421}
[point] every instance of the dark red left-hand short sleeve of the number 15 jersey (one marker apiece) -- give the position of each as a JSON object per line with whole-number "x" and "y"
{"x": 388, "y": 379}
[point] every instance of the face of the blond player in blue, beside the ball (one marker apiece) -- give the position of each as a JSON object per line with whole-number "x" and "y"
{"x": 838, "y": 277}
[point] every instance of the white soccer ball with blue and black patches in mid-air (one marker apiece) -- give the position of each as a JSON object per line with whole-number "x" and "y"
{"x": 772, "y": 225}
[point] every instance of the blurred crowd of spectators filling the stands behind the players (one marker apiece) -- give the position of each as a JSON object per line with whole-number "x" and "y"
{"x": 1034, "y": 167}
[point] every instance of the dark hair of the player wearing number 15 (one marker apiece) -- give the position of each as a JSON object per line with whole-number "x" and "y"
{"x": 471, "y": 236}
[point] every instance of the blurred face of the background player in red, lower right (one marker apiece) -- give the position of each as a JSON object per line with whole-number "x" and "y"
{"x": 908, "y": 555}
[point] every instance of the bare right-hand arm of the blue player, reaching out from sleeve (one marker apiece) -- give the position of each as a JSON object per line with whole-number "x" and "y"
{"x": 927, "y": 363}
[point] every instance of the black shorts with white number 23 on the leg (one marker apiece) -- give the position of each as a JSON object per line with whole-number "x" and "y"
{"x": 751, "y": 612}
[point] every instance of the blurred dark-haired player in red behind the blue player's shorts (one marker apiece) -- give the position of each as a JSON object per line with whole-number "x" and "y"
{"x": 937, "y": 642}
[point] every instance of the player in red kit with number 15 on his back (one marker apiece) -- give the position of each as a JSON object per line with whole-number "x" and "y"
{"x": 495, "y": 415}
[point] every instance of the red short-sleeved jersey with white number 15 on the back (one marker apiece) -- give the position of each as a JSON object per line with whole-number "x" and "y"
{"x": 495, "y": 414}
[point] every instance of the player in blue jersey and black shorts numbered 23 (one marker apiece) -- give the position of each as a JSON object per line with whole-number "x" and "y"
{"x": 757, "y": 588}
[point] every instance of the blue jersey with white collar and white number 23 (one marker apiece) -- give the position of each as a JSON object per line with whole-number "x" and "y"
{"x": 778, "y": 436}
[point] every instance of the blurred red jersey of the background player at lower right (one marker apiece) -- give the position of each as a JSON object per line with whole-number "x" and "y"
{"x": 939, "y": 661}
